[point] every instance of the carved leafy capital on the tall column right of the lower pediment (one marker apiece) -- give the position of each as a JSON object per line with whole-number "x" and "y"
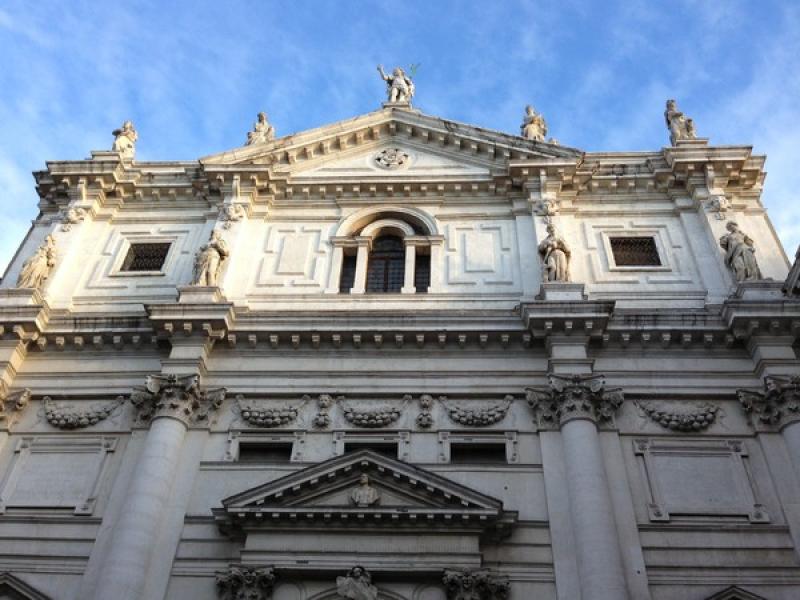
{"x": 574, "y": 397}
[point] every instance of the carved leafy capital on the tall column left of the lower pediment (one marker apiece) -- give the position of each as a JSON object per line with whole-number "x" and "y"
{"x": 177, "y": 397}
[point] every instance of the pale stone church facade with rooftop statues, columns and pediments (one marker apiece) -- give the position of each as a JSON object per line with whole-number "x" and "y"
{"x": 399, "y": 357}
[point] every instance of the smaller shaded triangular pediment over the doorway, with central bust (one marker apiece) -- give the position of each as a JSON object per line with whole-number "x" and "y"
{"x": 403, "y": 494}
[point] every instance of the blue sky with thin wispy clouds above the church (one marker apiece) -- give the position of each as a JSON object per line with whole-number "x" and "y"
{"x": 193, "y": 75}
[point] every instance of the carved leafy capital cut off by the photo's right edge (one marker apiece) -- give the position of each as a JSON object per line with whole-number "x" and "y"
{"x": 775, "y": 407}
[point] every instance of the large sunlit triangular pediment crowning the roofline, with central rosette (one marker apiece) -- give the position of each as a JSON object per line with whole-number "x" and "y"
{"x": 349, "y": 148}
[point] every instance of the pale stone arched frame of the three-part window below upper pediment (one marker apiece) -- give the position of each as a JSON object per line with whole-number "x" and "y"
{"x": 366, "y": 227}
